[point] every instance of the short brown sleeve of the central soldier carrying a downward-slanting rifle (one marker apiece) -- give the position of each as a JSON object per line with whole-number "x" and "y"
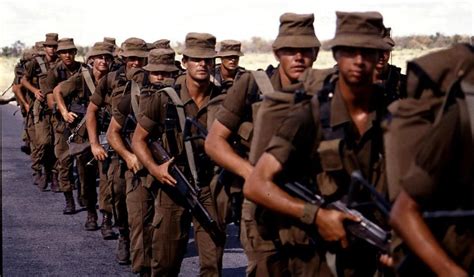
{"x": 149, "y": 111}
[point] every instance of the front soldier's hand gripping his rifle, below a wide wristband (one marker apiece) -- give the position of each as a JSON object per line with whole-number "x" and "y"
{"x": 330, "y": 224}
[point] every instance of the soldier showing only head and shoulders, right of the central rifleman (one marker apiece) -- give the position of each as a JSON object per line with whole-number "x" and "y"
{"x": 228, "y": 70}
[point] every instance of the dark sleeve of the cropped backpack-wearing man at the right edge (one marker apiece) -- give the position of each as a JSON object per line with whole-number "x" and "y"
{"x": 441, "y": 152}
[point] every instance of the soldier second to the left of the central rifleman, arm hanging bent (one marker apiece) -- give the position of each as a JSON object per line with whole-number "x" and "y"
{"x": 112, "y": 186}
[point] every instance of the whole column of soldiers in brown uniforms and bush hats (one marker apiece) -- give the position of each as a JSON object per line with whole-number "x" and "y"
{"x": 315, "y": 166}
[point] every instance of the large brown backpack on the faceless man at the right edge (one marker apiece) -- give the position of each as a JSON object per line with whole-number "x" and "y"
{"x": 434, "y": 82}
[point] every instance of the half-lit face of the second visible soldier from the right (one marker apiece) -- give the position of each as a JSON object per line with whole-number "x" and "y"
{"x": 294, "y": 61}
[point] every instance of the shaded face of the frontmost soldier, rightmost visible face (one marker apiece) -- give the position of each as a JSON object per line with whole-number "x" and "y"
{"x": 356, "y": 65}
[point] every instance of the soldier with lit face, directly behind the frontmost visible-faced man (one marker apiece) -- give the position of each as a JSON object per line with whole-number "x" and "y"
{"x": 296, "y": 48}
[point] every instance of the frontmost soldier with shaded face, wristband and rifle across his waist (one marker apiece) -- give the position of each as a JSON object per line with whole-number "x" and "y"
{"x": 330, "y": 136}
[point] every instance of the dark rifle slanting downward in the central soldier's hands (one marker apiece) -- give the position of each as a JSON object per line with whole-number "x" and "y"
{"x": 187, "y": 191}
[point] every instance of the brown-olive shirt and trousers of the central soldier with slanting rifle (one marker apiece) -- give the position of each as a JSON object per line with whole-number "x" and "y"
{"x": 171, "y": 220}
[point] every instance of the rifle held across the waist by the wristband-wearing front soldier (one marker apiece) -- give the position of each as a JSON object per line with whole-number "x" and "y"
{"x": 365, "y": 230}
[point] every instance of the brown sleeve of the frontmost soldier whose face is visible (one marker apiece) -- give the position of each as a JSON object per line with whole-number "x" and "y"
{"x": 296, "y": 135}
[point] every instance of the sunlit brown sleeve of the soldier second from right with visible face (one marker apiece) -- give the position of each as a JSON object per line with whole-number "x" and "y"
{"x": 232, "y": 110}
